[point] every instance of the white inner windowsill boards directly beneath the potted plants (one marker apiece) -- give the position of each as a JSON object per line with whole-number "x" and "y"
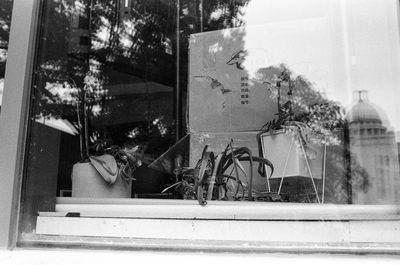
{"x": 260, "y": 222}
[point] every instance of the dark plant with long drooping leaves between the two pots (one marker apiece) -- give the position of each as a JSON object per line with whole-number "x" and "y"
{"x": 223, "y": 177}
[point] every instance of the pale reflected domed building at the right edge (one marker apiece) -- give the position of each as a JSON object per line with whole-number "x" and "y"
{"x": 373, "y": 147}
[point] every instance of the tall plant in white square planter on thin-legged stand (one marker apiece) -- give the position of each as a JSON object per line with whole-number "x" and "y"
{"x": 294, "y": 134}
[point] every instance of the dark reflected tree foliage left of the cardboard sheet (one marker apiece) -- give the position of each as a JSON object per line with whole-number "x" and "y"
{"x": 108, "y": 69}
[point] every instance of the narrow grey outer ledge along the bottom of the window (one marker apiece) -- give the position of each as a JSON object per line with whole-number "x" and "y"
{"x": 213, "y": 246}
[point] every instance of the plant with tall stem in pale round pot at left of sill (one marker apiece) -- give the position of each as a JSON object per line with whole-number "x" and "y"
{"x": 104, "y": 170}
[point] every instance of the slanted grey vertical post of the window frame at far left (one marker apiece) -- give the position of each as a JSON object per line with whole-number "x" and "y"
{"x": 14, "y": 113}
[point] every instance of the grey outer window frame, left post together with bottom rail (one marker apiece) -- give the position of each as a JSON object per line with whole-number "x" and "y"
{"x": 13, "y": 134}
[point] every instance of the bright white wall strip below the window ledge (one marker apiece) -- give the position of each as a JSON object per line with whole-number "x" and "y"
{"x": 76, "y": 257}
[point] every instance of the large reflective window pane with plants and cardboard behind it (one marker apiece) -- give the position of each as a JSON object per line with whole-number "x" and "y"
{"x": 267, "y": 101}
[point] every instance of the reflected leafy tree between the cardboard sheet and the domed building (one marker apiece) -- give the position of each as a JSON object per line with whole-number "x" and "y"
{"x": 325, "y": 124}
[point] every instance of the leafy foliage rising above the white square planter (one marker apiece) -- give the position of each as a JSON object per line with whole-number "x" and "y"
{"x": 310, "y": 116}
